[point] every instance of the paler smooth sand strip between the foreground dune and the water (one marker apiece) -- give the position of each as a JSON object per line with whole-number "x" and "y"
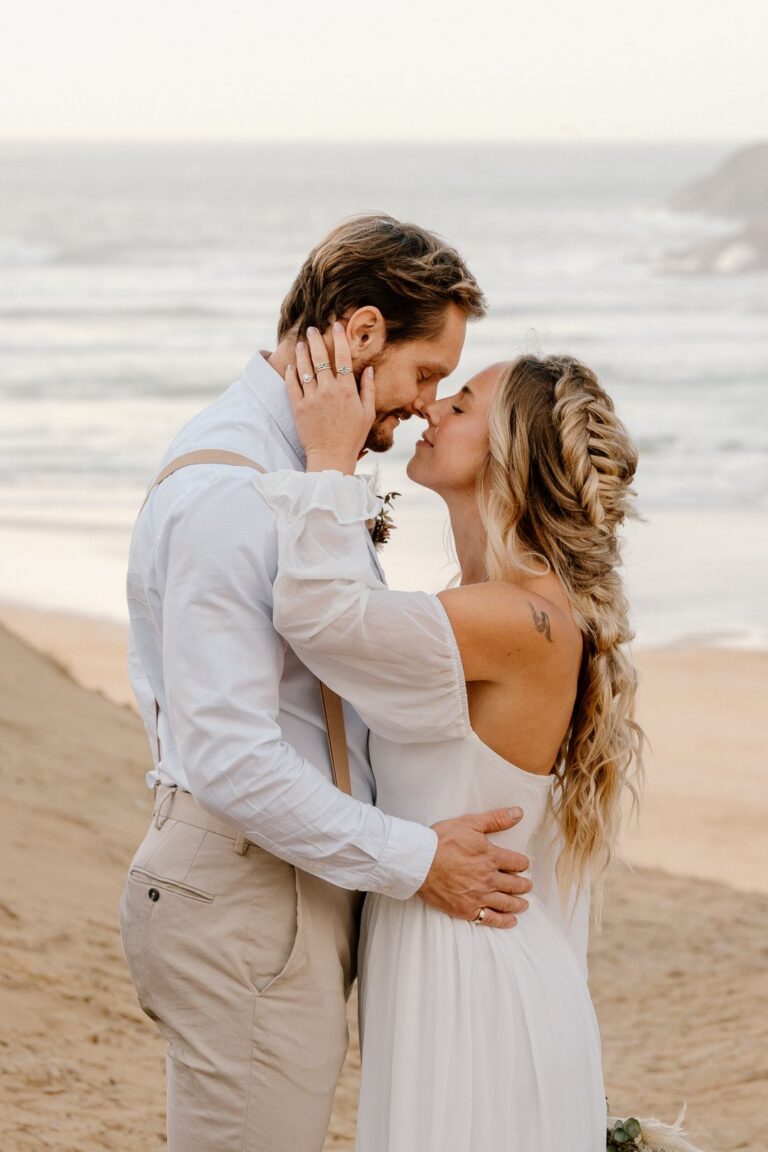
{"x": 706, "y": 798}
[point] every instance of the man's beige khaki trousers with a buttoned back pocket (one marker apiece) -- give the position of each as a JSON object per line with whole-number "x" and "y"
{"x": 246, "y": 965}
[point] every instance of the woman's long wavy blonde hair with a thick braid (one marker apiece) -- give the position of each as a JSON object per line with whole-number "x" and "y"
{"x": 554, "y": 491}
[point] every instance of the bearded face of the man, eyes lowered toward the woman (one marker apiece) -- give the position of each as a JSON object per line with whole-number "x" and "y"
{"x": 408, "y": 375}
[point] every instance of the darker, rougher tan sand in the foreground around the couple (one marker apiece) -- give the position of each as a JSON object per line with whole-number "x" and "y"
{"x": 679, "y": 974}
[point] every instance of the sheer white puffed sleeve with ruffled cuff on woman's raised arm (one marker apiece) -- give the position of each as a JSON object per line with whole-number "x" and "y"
{"x": 392, "y": 655}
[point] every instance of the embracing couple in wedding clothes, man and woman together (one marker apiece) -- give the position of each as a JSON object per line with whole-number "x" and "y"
{"x": 316, "y": 737}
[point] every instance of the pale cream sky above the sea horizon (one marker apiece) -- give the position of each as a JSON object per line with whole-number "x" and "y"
{"x": 400, "y": 70}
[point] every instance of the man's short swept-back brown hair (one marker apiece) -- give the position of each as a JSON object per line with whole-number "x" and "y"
{"x": 408, "y": 274}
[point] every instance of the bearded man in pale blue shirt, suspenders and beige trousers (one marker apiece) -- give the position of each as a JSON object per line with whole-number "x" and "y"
{"x": 240, "y": 912}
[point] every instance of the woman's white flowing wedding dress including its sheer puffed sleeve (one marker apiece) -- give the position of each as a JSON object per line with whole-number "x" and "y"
{"x": 474, "y": 1040}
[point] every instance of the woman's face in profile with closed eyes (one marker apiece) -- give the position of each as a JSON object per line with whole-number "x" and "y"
{"x": 454, "y": 448}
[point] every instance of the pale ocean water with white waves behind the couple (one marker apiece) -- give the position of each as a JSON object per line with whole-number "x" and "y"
{"x": 138, "y": 281}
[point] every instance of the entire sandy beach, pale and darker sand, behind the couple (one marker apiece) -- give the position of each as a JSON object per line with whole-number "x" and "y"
{"x": 678, "y": 975}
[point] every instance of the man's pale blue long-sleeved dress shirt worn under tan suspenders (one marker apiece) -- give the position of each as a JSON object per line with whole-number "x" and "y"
{"x": 241, "y": 723}
